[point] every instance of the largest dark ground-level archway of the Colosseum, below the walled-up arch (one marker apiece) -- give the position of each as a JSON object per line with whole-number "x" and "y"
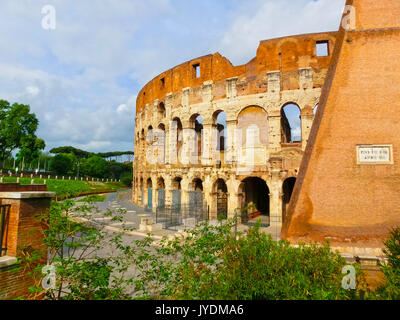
{"x": 255, "y": 199}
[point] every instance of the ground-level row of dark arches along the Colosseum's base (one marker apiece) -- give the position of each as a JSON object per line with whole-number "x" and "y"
{"x": 252, "y": 192}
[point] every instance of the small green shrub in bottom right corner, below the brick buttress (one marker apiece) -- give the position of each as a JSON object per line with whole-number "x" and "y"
{"x": 391, "y": 288}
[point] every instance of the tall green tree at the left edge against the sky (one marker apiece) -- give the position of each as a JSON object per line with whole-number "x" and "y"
{"x": 17, "y": 129}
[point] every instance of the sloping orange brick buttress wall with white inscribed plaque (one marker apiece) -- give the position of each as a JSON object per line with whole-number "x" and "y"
{"x": 341, "y": 194}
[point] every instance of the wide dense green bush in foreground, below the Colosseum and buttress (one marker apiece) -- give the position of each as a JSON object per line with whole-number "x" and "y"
{"x": 212, "y": 264}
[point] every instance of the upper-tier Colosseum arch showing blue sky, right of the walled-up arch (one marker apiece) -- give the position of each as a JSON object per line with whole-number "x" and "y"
{"x": 291, "y": 123}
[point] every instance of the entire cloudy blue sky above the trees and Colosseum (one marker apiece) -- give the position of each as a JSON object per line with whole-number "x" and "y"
{"x": 81, "y": 79}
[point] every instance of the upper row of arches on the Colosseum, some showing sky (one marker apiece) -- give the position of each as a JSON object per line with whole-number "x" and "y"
{"x": 252, "y": 121}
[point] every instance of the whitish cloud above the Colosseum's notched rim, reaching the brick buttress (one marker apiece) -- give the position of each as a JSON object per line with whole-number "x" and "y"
{"x": 266, "y": 19}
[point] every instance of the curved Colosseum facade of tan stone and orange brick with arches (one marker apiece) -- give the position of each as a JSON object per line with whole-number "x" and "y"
{"x": 225, "y": 137}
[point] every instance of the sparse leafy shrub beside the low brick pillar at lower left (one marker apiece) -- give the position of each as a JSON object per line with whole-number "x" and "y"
{"x": 74, "y": 241}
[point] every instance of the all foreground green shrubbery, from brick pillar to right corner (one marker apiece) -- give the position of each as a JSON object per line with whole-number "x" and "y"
{"x": 211, "y": 263}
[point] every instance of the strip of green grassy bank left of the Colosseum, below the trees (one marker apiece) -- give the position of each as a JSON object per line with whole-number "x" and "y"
{"x": 71, "y": 188}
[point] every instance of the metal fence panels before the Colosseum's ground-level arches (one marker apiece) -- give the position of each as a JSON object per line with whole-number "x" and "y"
{"x": 181, "y": 216}
